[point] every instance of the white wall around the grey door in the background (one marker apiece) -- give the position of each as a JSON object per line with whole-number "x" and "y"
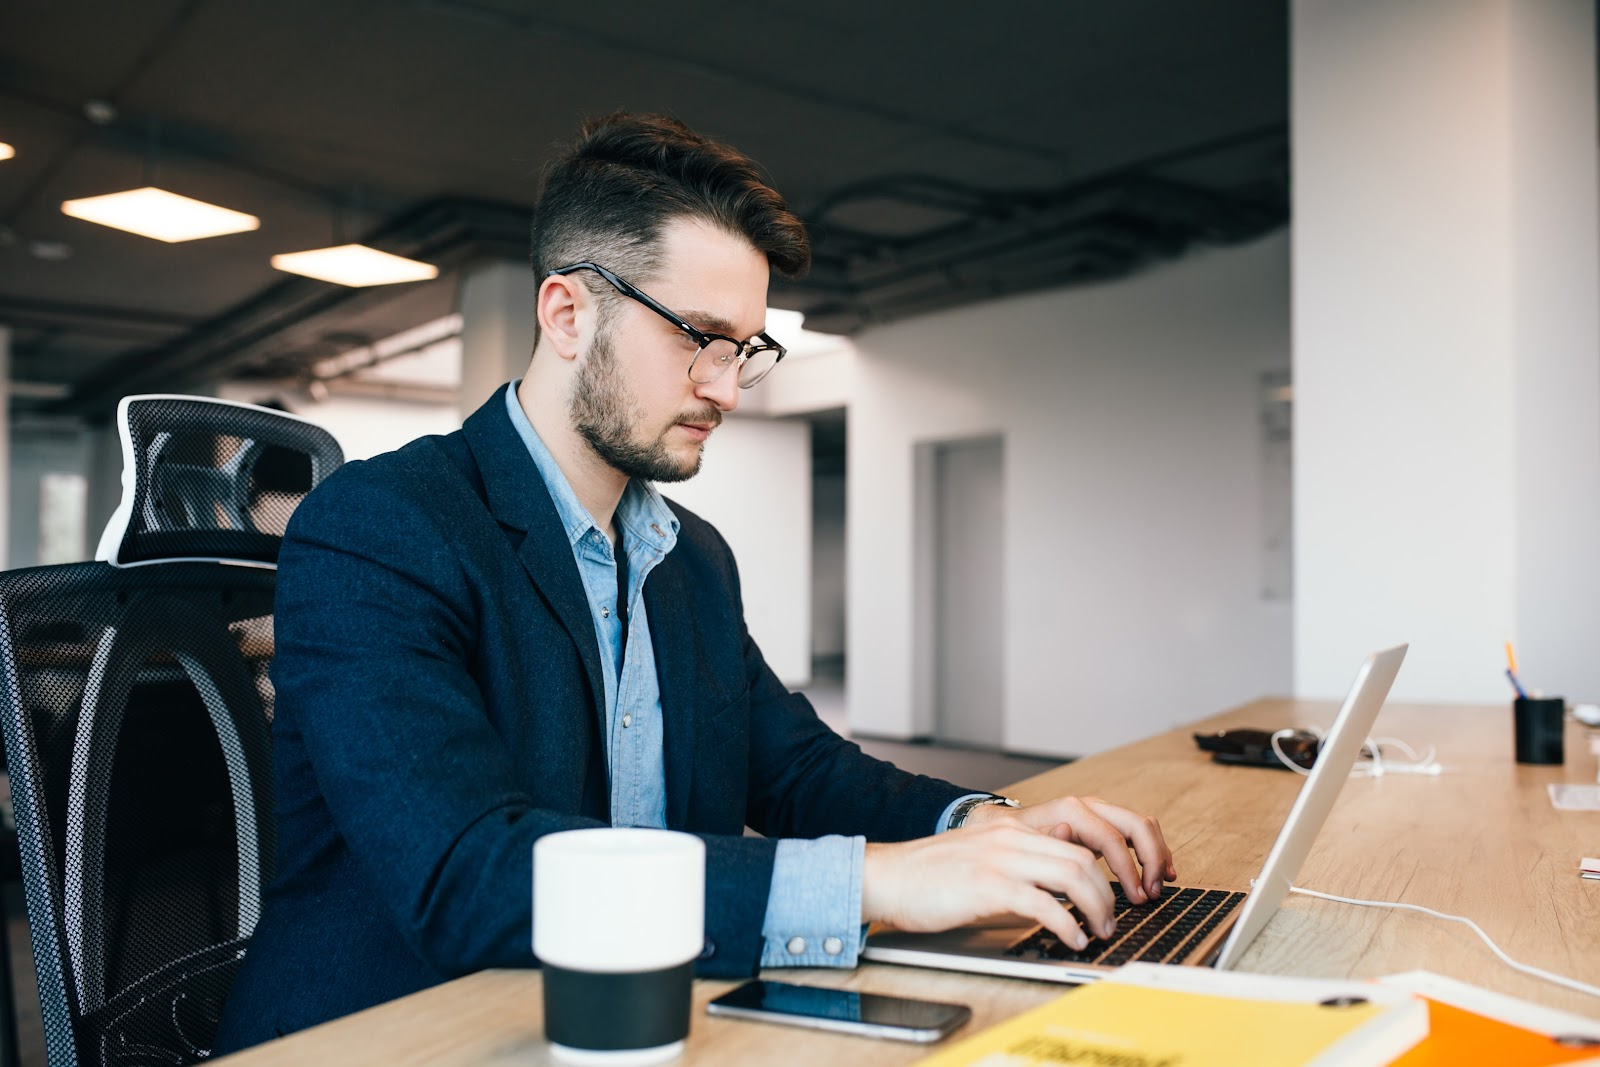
{"x": 1134, "y": 503}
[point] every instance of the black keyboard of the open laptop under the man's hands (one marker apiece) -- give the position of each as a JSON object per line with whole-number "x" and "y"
{"x": 1162, "y": 932}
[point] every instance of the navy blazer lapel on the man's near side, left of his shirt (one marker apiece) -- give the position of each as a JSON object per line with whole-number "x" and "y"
{"x": 519, "y": 498}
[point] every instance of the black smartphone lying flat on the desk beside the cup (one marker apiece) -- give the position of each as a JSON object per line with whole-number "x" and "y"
{"x": 842, "y": 1010}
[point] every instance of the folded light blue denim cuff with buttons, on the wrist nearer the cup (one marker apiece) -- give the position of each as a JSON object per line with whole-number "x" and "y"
{"x": 814, "y": 909}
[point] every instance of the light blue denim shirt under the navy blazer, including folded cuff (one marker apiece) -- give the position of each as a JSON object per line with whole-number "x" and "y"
{"x": 814, "y": 908}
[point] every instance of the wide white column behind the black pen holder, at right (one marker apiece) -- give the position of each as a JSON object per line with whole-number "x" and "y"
{"x": 1447, "y": 348}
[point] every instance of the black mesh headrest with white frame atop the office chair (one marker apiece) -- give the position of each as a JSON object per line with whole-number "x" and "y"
{"x": 209, "y": 479}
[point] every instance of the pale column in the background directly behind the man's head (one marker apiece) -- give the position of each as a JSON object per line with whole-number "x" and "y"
{"x": 497, "y": 329}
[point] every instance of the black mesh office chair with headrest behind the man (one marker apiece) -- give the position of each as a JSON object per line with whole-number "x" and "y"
{"x": 137, "y": 716}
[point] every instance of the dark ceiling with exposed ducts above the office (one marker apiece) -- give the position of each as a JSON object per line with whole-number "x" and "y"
{"x": 940, "y": 156}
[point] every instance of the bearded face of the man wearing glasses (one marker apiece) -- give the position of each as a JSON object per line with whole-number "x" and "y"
{"x": 633, "y": 399}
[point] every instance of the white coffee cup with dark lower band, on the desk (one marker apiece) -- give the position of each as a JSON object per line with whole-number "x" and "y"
{"x": 618, "y": 921}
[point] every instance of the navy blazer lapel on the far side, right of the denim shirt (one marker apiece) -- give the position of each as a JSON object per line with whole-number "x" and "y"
{"x": 673, "y": 636}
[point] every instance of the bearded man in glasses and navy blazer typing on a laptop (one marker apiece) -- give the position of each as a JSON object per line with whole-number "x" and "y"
{"x": 503, "y": 633}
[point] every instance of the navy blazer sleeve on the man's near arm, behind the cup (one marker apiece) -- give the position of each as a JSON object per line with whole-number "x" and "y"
{"x": 377, "y": 623}
